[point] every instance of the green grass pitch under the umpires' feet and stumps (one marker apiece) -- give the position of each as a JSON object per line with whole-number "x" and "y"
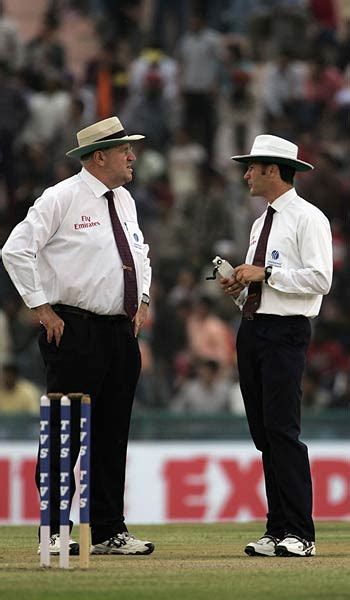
{"x": 190, "y": 562}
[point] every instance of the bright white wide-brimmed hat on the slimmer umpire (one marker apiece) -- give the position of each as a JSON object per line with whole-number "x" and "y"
{"x": 273, "y": 149}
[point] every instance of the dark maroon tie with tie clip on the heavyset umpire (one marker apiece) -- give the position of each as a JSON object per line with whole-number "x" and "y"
{"x": 130, "y": 283}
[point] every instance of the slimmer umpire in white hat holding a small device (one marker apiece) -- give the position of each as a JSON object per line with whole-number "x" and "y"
{"x": 279, "y": 289}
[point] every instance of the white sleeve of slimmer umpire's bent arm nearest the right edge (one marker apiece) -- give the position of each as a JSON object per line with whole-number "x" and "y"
{"x": 314, "y": 276}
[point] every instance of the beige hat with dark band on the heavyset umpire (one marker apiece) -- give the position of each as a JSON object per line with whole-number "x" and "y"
{"x": 103, "y": 134}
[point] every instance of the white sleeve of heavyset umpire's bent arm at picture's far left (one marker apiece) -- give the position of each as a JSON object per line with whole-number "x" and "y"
{"x": 20, "y": 250}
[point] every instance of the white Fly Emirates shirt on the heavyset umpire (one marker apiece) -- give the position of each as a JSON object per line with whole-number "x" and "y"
{"x": 64, "y": 251}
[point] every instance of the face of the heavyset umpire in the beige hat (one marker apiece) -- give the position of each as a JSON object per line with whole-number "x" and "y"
{"x": 117, "y": 165}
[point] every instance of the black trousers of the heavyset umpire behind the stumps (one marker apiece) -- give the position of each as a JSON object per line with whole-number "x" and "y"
{"x": 98, "y": 356}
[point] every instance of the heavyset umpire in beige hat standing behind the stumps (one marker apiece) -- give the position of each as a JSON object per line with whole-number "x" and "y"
{"x": 80, "y": 262}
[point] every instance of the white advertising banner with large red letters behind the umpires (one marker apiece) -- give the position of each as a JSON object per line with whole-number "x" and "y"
{"x": 169, "y": 482}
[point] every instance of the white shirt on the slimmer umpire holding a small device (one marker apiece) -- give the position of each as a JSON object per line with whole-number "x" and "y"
{"x": 299, "y": 249}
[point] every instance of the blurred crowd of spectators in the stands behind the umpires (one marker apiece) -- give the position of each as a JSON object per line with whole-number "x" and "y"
{"x": 200, "y": 79}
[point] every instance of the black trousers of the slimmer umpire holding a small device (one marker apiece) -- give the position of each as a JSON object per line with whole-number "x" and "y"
{"x": 271, "y": 353}
